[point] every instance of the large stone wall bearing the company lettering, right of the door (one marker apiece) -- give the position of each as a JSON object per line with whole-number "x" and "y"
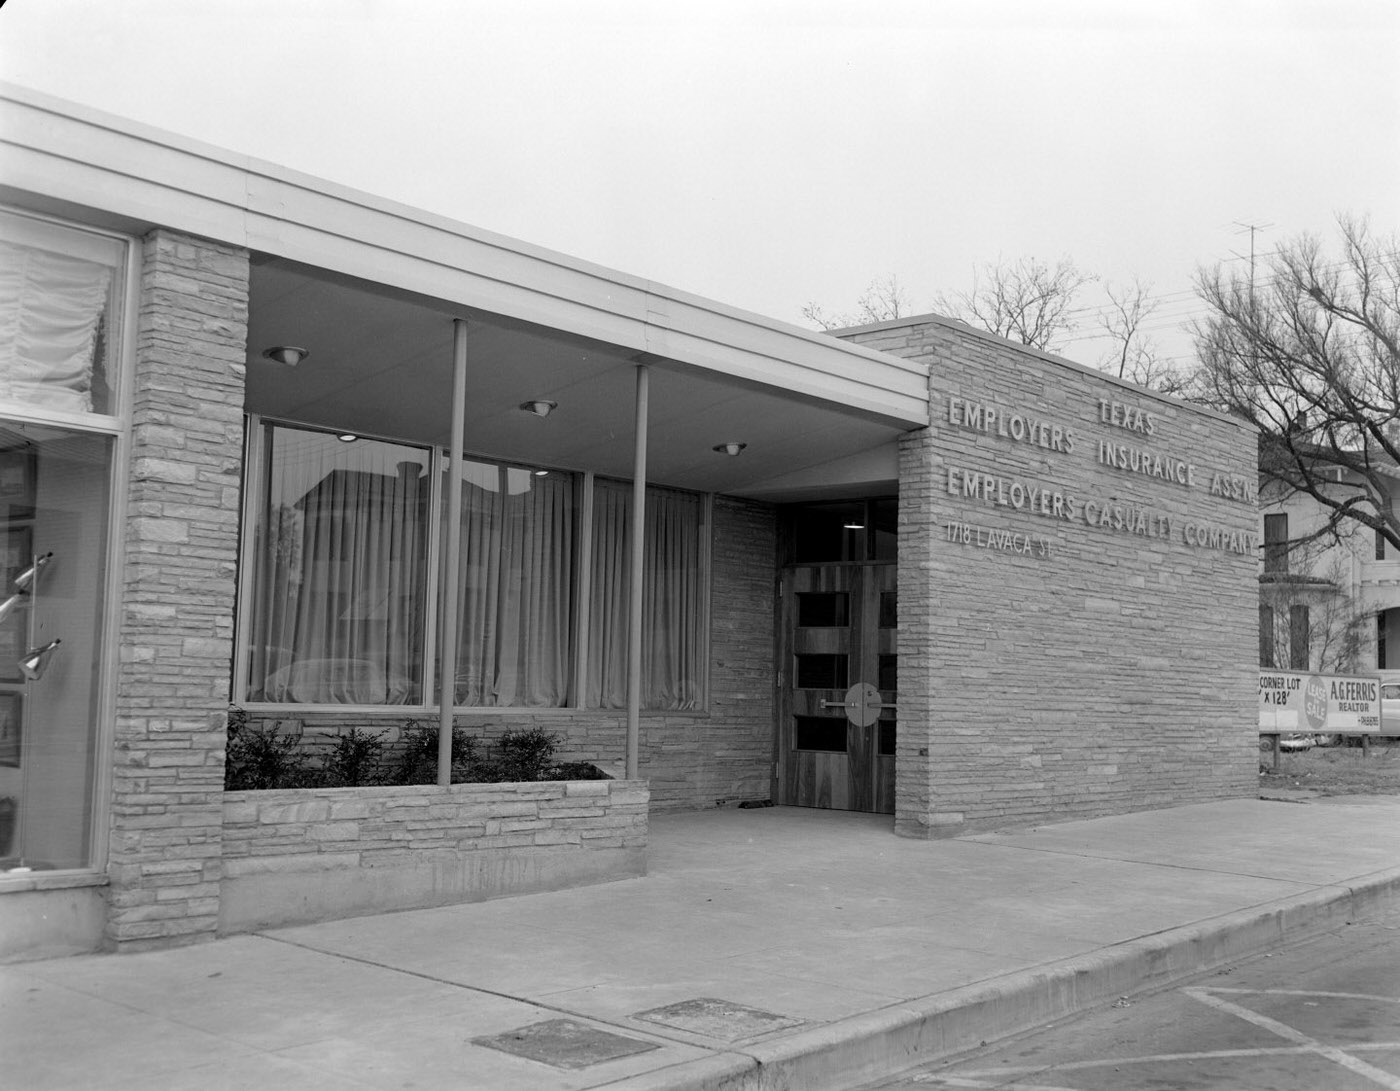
{"x": 1116, "y": 670}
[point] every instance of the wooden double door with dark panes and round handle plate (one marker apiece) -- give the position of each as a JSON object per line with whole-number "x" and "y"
{"x": 838, "y": 681}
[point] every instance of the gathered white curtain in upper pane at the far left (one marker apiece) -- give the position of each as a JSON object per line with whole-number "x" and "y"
{"x": 51, "y": 320}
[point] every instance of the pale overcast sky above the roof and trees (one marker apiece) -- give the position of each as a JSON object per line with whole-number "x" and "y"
{"x": 771, "y": 153}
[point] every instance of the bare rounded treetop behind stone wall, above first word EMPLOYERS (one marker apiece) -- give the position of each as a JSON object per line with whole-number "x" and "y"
{"x": 1025, "y": 300}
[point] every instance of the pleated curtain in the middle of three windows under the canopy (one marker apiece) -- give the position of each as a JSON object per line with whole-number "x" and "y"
{"x": 516, "y": 583}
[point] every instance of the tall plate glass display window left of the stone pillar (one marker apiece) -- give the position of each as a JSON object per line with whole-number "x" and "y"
{"x": 62, "y": 307}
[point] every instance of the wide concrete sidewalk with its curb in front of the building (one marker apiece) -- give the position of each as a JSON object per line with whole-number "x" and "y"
{"x": 769, "y": 949}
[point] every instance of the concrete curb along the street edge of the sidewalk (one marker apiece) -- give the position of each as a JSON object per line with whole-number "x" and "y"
{"x": 887, "y": 1043}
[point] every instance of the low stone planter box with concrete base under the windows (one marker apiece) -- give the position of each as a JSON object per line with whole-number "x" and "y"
{"x": 304, "y": 855}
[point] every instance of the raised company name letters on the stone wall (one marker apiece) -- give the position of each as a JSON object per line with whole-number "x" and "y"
{"x": 1114, "y": 515}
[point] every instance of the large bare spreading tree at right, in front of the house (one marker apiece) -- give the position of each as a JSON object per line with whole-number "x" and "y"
{"x": 1311, "y": 356}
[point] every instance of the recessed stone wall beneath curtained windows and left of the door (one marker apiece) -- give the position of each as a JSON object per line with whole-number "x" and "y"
{"x": 689, "y": 760}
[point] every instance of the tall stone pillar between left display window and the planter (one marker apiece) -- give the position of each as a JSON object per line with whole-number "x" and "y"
{"x": 181, "y": 538}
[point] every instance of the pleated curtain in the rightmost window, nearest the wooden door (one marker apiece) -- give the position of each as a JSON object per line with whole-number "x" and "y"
{"x": 671, "y": 607}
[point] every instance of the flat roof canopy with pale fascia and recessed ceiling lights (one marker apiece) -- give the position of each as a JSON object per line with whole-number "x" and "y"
{"x": 372, "y": 289}
